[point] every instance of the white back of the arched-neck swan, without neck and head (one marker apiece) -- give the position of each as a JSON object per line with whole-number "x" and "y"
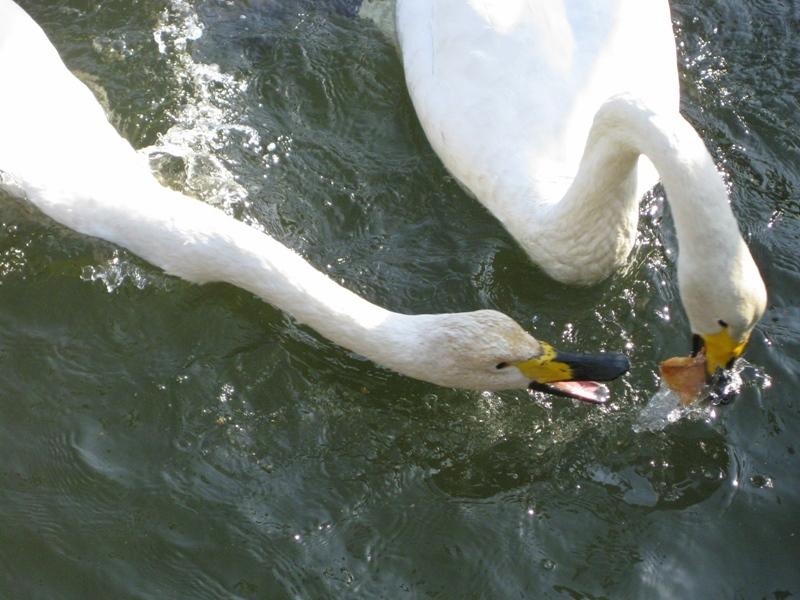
{"x": 511, "y": 86}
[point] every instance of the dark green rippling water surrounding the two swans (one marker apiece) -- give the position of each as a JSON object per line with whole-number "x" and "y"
{"x": 164, "y": 440}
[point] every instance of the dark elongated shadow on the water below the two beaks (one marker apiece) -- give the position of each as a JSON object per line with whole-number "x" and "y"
{"x": 663, "y": 472}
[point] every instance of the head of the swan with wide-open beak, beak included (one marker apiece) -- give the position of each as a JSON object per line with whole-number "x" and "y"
{"x": 487, "y": 350}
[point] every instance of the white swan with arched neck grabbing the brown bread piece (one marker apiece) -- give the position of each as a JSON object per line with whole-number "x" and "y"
{"x": 544, "y": 108}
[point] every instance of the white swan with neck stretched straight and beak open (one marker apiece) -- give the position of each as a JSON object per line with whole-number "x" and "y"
{"x": 58, "y": 150}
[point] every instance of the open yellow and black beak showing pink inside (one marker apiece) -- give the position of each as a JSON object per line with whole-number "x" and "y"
{"x": 573, "y": 375}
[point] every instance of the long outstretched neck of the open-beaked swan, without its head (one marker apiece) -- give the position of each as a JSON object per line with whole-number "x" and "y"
{"x": 200, "y": 243}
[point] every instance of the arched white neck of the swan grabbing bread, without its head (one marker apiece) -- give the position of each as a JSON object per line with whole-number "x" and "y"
{"x": 590, "y": 232}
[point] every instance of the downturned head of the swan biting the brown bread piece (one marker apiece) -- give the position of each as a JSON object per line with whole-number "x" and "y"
{"x": 724, "y": 298}
